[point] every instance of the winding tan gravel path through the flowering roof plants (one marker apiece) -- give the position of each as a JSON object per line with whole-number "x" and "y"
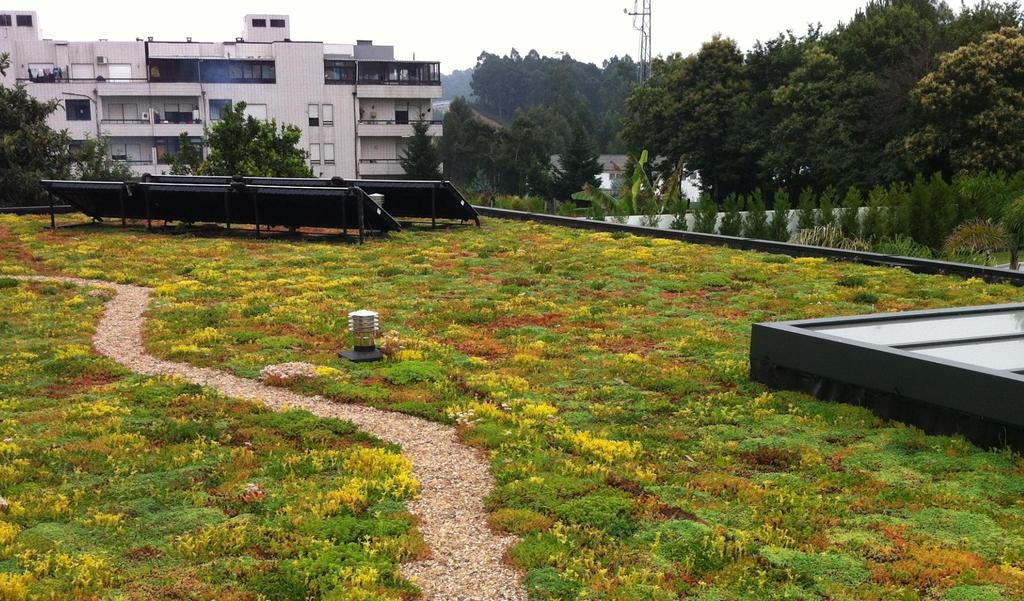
{"x": 467, "y": 560}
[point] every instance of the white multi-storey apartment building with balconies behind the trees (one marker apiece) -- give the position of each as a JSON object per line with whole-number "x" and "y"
{"x": 355, "y": 103}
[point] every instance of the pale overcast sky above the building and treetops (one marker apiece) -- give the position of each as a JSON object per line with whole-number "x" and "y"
{"x": 453, "y": 31}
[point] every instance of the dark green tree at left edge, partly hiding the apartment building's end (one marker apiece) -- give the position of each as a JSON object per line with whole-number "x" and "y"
{"x": 30, "y": 151}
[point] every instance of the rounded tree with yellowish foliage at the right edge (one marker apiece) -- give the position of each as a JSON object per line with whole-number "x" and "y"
{"x": 971, "y": 111}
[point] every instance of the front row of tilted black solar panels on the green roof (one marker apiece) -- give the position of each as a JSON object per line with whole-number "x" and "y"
{"x": 227, "y": 201}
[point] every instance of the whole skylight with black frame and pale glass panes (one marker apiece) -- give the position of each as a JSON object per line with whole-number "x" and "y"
{"x": 952, "y": 371}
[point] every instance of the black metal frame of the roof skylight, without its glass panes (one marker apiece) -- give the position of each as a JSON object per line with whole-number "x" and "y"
{"x": 942, "y": 397}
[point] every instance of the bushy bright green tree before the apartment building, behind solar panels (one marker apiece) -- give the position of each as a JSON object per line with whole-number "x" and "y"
{"x": 242, "y": 145}
